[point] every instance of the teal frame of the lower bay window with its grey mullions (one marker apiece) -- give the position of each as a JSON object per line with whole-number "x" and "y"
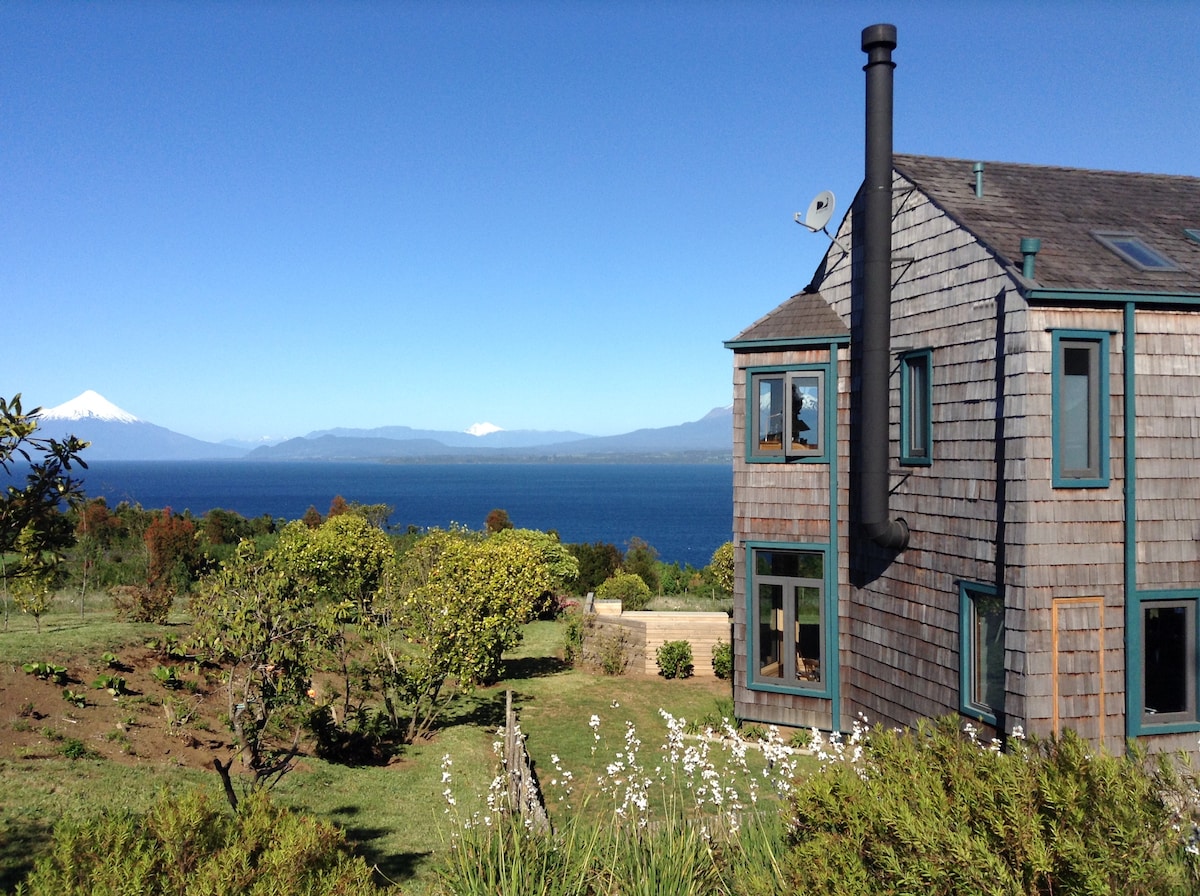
{"x": 794, "y": 679}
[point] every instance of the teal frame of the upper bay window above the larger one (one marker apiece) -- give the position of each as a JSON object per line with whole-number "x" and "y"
{"x": 789, "y": 378}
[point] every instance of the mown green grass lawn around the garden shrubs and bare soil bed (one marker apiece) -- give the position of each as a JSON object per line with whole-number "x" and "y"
{"x": 397, "y": 815}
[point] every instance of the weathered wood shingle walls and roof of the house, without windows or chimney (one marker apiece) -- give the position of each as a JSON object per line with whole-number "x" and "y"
{"x": 986, "y": 515}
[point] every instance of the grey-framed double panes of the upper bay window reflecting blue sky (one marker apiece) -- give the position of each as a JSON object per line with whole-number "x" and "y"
{"x": 787, "y": 414}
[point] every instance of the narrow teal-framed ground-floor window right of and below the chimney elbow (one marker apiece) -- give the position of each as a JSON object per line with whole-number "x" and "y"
{"x": 982, "y": 652}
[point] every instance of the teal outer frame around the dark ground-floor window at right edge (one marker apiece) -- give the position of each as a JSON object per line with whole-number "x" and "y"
{"x": 1150, "y": 720}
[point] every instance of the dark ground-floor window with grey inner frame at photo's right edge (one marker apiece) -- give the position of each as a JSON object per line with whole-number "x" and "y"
{"x": 1168, "y": 657}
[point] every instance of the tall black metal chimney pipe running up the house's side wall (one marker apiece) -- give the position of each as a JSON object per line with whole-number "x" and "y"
{"x": 879, "y": 41}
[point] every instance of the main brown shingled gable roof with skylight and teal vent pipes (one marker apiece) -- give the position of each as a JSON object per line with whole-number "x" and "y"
{"x": 1064, "y": 207}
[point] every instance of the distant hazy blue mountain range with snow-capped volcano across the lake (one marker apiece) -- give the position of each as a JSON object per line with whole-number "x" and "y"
{"x": 117, "y": 435}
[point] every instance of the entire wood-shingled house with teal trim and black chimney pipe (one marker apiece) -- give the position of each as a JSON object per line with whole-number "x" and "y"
{"x": 968, "y": 456}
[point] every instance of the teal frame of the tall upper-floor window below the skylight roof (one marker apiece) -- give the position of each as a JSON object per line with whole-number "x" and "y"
{"x": 1065, "y": 420}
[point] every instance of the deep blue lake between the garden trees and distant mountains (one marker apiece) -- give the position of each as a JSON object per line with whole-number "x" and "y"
{"x": 686, "y": 512}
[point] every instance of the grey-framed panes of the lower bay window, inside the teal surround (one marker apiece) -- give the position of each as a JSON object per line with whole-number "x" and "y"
{"x": 788, "y": 617}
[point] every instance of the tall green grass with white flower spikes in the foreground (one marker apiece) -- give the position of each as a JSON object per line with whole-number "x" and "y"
{"x": 699, "y": 816}
